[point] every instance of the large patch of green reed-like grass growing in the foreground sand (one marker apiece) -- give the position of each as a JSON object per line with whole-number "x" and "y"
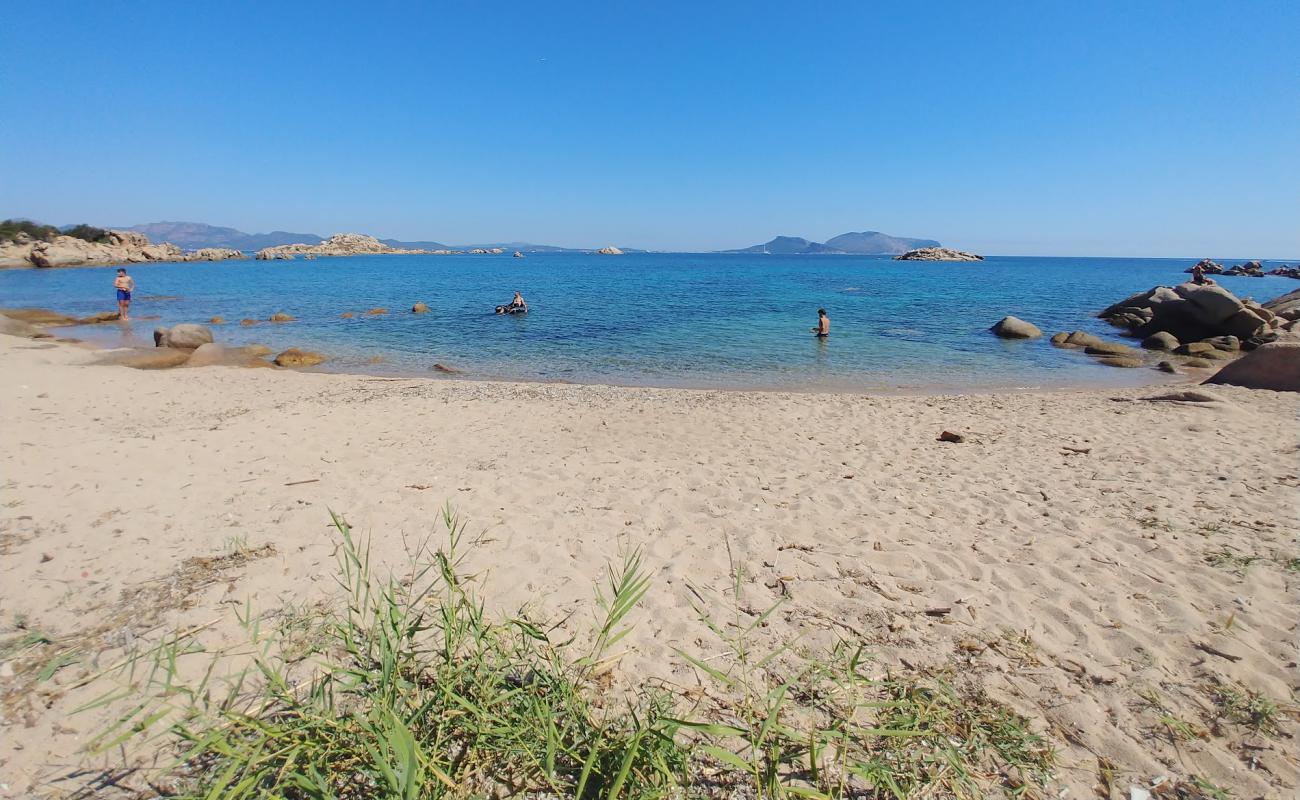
{"x": 413, "y": 690}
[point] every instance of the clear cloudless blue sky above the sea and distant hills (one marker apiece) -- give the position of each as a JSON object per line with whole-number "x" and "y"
{"x": 1021, "y": 128}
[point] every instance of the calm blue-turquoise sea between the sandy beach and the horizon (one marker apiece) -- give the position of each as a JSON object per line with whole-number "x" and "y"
{"x": 655, "y": 319}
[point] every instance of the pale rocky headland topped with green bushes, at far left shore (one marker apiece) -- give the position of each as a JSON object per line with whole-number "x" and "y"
{"x": 118, "y": 248}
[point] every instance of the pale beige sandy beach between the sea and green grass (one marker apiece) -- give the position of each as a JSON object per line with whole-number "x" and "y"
{"x": 1069, "y": 534}
